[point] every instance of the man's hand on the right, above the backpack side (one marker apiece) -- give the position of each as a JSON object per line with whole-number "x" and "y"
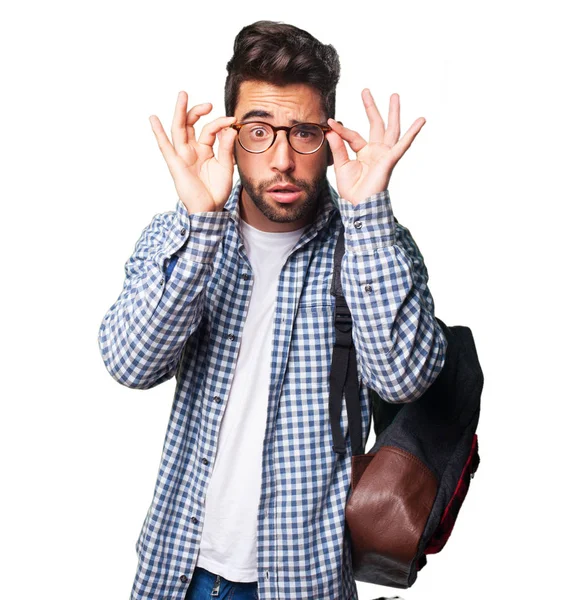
{"x": 370, "y": 173}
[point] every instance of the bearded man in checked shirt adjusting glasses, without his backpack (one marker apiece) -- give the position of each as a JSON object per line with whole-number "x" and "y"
{"x": 231, "y": 294}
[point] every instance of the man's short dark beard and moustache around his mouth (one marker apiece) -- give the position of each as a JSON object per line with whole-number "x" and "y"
{"x": 285, "y": 213}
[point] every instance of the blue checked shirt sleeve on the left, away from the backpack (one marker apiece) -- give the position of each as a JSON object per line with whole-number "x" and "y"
{"x": 142, "y": 335}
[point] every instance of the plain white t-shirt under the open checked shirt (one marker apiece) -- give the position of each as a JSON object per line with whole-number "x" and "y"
{"x": 228, "y": 545}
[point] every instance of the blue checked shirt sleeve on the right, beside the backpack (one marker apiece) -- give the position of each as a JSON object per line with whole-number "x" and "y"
{"x": 399, "y": 344}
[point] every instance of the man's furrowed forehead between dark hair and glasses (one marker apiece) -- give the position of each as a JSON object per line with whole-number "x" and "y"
{"x": 287, "y": 104}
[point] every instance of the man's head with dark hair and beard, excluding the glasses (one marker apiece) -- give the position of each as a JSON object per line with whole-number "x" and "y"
{"x": 281, "y": 75}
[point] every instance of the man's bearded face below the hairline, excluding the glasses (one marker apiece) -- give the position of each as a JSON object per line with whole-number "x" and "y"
{"x": 261, "y": 207}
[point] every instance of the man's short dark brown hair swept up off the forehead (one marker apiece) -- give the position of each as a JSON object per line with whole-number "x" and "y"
{"x": 278, "y": 53}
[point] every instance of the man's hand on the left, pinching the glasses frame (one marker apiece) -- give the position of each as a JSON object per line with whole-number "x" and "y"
{"x": 203, "y": 182}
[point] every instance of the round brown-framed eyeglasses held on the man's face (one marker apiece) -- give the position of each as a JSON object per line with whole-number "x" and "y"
{"x": 257, "y": 137}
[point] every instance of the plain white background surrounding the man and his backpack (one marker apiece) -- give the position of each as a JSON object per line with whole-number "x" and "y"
{"x": 82, "y": 175}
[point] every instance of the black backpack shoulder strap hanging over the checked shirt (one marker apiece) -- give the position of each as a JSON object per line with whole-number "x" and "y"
{"x": 344, "y": 370}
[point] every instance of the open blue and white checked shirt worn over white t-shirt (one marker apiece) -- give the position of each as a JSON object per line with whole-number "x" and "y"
{"x": 182, "y": 312}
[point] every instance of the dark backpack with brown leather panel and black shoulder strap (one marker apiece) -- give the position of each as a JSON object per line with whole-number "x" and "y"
{"x": 406, "y": 492}
